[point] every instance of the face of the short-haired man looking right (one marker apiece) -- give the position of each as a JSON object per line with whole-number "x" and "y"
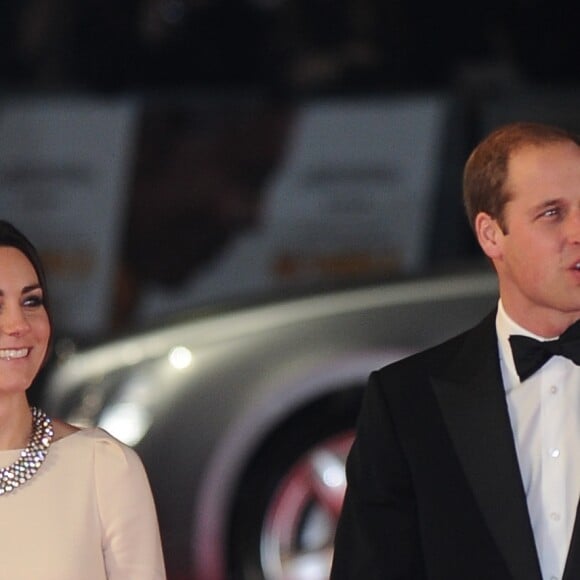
{"x": 538, "y": 257}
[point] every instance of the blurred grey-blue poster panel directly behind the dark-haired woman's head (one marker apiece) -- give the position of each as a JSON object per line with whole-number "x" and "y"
{"x": 64, "y": 165}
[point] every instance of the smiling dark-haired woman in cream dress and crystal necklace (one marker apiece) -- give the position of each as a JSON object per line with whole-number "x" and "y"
{"x": 74, "y": 503}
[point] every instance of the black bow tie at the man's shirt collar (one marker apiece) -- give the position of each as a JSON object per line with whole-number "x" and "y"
{"x": 531, "y": 354}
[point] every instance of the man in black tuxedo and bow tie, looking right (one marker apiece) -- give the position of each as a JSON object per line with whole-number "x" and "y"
{"x": 466, "y": 463}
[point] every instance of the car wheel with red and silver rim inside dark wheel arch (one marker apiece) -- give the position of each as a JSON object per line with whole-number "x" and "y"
{"x": 285, "y": 513}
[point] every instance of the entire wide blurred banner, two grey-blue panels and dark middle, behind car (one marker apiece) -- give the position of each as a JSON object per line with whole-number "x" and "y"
{"x": 143, "y": 209}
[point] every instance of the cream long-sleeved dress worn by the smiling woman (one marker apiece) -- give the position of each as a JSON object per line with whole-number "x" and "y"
{"x": 87, "y": 514}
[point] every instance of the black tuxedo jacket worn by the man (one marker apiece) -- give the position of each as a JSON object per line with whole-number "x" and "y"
{"x": 434, "y": 487}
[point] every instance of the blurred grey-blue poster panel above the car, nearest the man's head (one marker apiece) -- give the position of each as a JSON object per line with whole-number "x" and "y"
{"x": 354, "y": 194}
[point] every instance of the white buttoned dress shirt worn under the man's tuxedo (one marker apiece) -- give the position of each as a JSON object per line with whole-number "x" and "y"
{"x": 545, "y": 417}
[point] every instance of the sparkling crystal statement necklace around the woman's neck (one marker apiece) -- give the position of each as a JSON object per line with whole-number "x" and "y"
{"x": 32, "y": 457}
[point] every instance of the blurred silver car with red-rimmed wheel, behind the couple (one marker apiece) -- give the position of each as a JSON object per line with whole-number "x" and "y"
{"x": 243, "y": 415}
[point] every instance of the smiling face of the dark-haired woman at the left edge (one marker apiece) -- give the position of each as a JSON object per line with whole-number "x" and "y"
{"x": 24, "y": 323}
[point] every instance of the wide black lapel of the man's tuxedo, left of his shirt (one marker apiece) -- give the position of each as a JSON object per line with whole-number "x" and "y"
{"x": 472, "y": 402}
